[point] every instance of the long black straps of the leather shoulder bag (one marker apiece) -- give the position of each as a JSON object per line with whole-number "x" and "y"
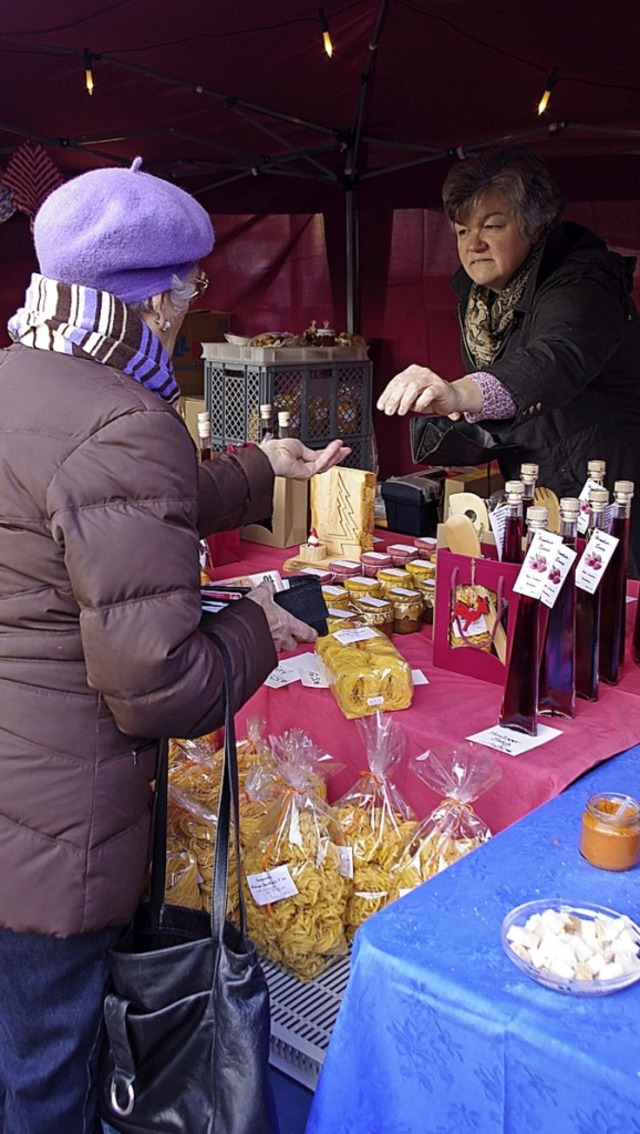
{"x": 229, "y": 806}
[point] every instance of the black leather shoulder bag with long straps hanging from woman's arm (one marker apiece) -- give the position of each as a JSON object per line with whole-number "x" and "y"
{"x": 188, "y": 1014}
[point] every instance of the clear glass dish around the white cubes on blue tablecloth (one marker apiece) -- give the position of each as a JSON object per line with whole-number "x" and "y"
{"x": 574, "y": 986}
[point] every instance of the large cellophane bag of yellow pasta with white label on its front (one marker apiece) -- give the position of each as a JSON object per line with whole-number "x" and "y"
{"x": 296, "y": 890}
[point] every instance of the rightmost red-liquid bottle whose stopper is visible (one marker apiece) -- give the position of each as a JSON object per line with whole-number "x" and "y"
{"x": 613, "y": 600}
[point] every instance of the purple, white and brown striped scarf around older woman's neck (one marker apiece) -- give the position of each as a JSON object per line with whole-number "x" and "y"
{"x": 80, "y": 321}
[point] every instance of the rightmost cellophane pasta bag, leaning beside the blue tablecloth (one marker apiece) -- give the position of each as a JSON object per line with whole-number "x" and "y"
{"x": 461, "y": 776}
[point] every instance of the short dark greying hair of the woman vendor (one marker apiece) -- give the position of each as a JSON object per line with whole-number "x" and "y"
{"x": 518, "y": 173}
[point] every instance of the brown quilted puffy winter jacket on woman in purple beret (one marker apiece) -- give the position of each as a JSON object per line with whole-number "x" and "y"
{"x": 102, "y": 506}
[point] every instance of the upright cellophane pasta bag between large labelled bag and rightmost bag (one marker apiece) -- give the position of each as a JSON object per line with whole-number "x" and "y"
{"x": 376, "y": 820}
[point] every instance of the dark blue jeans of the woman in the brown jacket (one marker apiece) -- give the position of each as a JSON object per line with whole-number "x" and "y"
{"x": 52, "y": 994}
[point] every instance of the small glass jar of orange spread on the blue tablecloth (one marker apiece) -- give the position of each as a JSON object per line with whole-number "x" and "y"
{"x": 610, "y": 837}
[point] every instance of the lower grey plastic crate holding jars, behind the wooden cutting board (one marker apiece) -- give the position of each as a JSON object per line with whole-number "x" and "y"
{"x": 325, "y": 401}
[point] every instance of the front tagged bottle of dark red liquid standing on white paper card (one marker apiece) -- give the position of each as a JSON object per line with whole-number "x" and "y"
{"x": 519, "y": 709}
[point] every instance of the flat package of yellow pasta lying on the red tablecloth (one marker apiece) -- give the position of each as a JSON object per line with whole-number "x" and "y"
{"x": 366, "y": 672}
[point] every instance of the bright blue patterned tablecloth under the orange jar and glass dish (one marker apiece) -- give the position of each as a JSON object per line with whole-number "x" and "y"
{"x": 440, "y": 1034}
